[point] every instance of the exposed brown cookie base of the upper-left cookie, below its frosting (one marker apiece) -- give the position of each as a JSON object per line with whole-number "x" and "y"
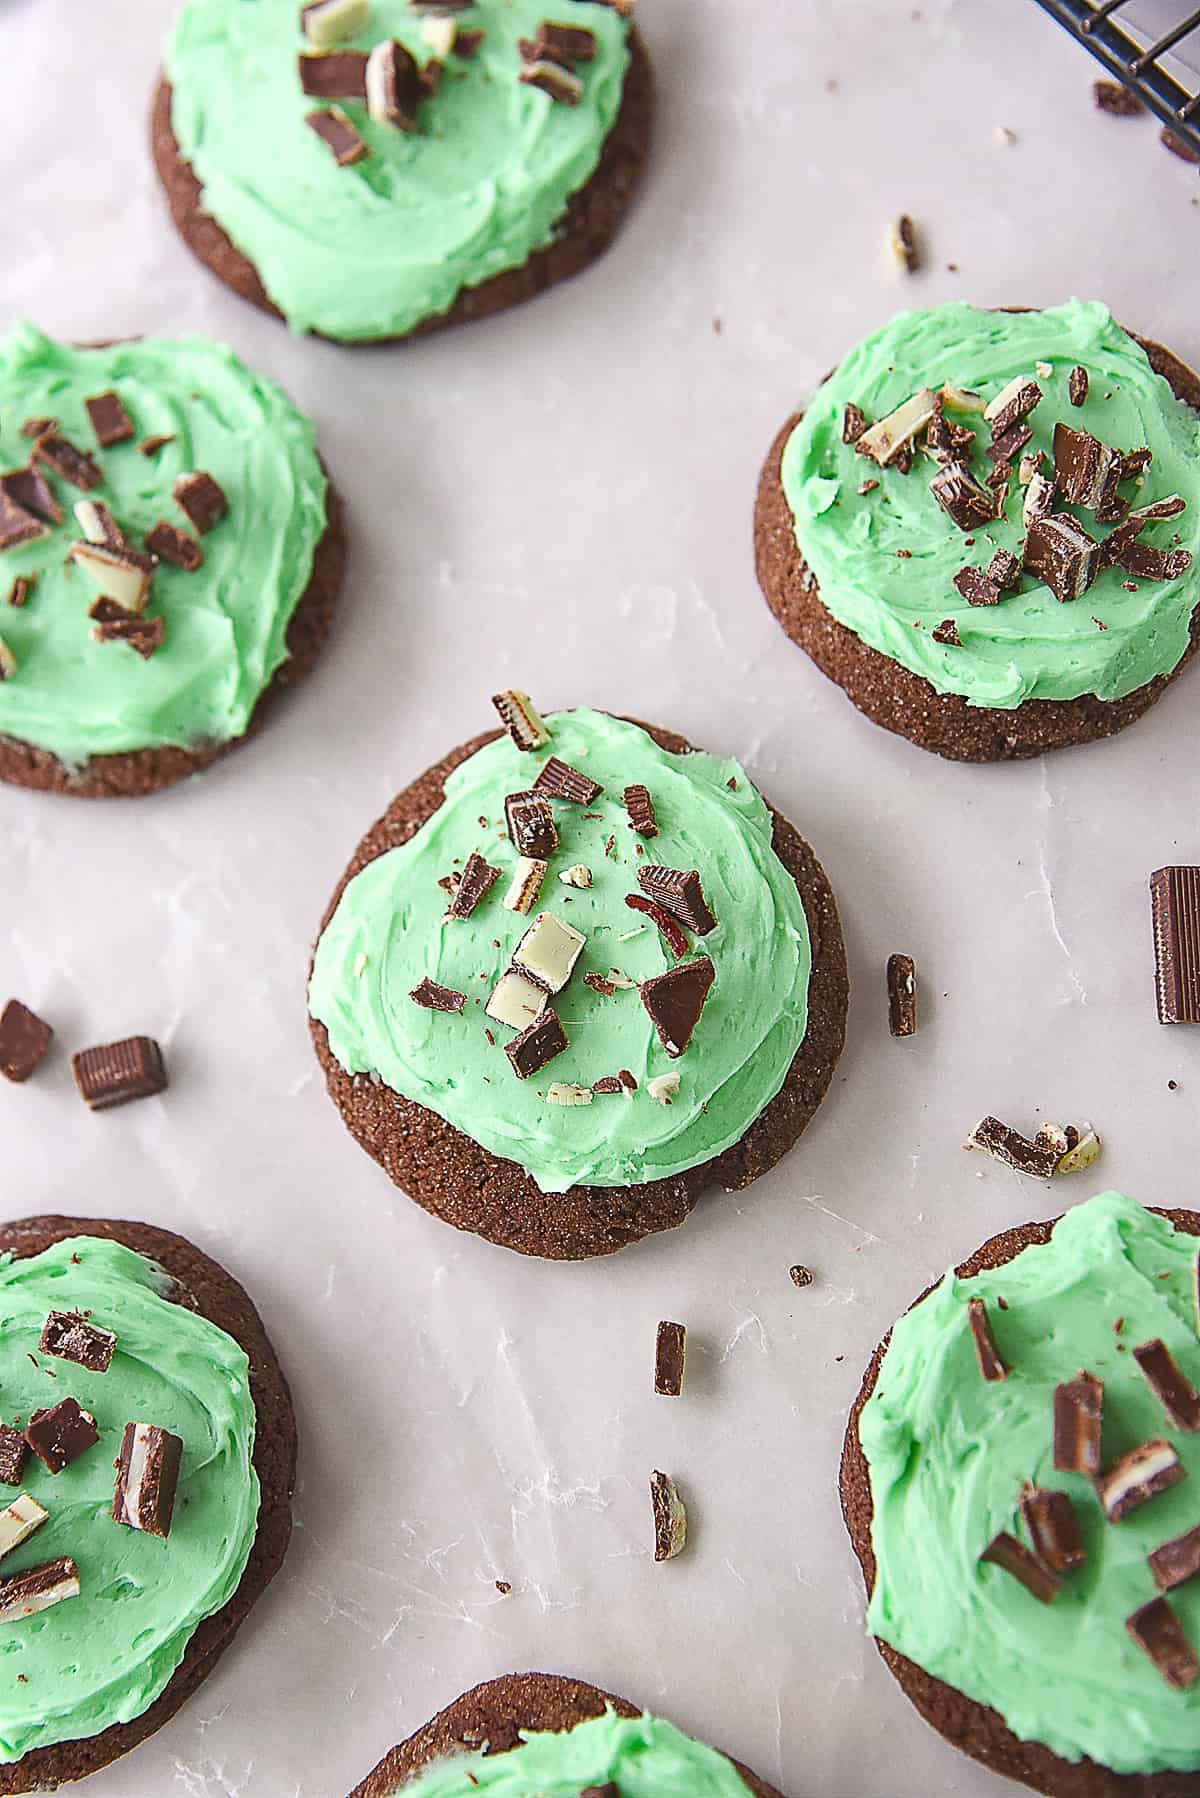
{"x": 134, "y": 774}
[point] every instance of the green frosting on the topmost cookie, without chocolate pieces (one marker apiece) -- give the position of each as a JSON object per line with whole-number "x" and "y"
{"x": 375, "y": 249}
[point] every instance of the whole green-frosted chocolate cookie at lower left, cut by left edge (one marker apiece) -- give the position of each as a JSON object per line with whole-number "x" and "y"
{"x": 147, "y": 1470}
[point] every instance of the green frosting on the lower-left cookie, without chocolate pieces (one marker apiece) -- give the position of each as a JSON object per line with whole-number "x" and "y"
{"x": 105, "y": 1657}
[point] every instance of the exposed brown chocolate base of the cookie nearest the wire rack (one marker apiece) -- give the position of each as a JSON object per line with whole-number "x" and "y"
{"x": 908, "y": 704}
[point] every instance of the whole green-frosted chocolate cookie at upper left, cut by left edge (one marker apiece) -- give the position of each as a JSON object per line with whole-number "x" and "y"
{"x": 170, "y": 558}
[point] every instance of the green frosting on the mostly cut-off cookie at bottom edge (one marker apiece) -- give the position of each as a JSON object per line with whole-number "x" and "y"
{"x": 645, "y": 1756}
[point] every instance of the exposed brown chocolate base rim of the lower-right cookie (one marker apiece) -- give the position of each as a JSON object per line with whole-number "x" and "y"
{"x": 971, "y": 1727}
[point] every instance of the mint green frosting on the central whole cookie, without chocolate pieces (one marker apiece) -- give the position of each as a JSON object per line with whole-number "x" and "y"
{"x": 390, "y": 932}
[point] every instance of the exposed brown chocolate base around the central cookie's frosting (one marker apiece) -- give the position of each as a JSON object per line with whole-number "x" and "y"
{"x": 472, "y": 1189}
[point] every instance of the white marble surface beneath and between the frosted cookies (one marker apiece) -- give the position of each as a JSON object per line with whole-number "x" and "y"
{"x": 562, "y": 499}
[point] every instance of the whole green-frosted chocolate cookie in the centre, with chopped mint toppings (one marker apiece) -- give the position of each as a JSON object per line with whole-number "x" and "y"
{"x": 577, "y": 975}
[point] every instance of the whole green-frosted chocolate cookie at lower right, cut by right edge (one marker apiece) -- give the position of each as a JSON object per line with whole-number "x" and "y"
{"x": 1019, "y": 1488}
